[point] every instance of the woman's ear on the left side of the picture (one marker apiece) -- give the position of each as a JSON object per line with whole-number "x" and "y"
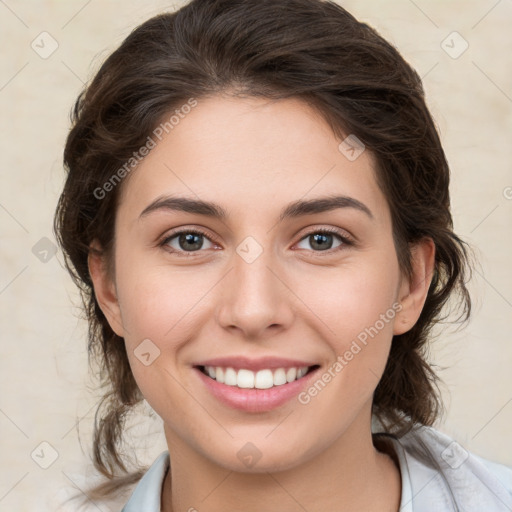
{"x": 104, "y": 288}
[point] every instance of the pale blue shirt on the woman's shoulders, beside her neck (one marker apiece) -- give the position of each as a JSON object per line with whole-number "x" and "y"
{"x": 438, "y": 475}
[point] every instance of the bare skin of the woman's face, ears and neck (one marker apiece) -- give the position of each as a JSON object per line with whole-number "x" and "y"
{"x": 253, "y": 157}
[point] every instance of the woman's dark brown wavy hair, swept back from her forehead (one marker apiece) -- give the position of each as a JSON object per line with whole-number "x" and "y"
{"x": 308, "y": 49}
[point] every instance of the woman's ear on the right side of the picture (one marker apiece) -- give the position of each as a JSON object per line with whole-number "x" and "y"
{"x": 413, "y": 291}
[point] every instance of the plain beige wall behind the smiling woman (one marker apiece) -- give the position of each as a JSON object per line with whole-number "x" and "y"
{"x": 45, "y": 391}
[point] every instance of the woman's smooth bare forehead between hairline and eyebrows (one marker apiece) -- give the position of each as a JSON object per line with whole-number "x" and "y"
{"x": 251, "y": 153}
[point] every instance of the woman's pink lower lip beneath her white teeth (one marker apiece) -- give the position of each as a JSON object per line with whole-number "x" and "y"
{"x": 255, "y": 400}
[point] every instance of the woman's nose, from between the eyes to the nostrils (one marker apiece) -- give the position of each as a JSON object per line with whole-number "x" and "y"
{"x": 255, "y": 300}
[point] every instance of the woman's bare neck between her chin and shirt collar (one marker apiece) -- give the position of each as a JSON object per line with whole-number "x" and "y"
{"x": 350, "y": 474}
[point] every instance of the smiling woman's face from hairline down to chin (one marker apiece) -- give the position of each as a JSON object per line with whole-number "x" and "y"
{"x": 289, "y": 267}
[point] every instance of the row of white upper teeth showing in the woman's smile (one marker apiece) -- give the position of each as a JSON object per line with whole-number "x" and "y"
{"x": 263, "y": 379}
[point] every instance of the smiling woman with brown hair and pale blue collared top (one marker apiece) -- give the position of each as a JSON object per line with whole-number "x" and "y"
{"x": 257, "y": 212}
